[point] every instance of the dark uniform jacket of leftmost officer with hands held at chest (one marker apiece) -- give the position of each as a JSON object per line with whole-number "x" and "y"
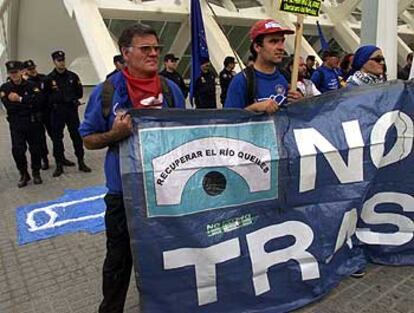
{"x": 29, "y": 109}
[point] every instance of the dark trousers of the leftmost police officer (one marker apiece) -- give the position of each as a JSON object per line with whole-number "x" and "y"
{"x": 23, "y": 133}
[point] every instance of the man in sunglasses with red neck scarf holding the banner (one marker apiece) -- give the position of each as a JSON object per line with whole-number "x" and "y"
{"x": 138, "y": 86}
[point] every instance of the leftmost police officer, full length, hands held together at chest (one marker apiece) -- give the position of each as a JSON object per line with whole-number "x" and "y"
{"x": 22, "y": 100}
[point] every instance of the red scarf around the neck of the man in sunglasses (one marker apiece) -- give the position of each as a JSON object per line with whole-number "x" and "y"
{"x": 145, "y": 93}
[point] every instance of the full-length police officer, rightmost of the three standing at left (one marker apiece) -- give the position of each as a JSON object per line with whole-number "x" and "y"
{"x": 65, "y": 90}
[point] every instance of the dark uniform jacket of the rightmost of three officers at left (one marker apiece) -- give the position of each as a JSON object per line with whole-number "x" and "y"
{"x": 64, "y": 90}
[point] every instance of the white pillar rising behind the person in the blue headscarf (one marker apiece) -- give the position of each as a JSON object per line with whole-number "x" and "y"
{"x": 379, "y": 27}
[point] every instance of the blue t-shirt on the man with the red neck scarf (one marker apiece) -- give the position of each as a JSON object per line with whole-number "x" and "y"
{"x": 95, "y": 122}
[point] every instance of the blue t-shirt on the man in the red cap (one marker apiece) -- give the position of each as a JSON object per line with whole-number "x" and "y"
{"x": 273, "y": 86}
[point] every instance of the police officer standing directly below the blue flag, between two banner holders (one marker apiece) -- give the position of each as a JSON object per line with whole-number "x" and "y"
{"x": 205, "y": 87}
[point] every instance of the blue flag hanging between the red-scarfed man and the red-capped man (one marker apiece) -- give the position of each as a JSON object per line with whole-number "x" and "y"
{"x": 199, "y": 50}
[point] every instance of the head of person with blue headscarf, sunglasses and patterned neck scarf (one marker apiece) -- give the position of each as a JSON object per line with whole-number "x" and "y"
{"x": 368, "y": 67}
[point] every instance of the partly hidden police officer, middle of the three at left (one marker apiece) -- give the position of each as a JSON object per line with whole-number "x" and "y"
{"x": 40, "y": 80}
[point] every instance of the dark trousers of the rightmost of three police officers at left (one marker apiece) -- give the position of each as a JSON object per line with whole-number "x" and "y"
{"x": 70, "y": 118}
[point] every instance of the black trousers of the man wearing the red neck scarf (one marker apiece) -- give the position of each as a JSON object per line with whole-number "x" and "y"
{"x": 118, "y": 261}
